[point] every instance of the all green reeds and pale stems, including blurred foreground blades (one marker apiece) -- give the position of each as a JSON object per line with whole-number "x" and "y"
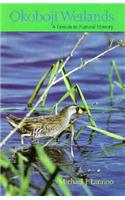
{"x": 17, "y": 167}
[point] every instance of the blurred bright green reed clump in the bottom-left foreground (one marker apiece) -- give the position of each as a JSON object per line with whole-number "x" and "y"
{"x": 19, "y": 181}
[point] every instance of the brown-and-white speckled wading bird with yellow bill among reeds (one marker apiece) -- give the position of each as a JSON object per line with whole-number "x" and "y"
{"x": 45, "y": 125}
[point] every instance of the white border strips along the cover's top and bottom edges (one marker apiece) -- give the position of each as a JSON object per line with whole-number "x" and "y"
{"x": 69, "y": 197}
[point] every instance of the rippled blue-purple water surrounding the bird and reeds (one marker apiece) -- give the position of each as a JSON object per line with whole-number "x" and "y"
{"x": 26, "y": 56}
